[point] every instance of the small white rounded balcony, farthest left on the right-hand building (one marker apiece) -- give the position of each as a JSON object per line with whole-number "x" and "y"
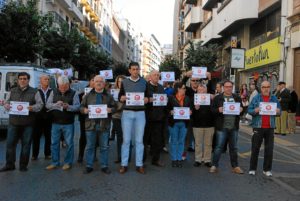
{"x": 193, "y": 19}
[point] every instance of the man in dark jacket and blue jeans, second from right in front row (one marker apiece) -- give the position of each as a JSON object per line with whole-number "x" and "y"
{"x": 226, "y": 126}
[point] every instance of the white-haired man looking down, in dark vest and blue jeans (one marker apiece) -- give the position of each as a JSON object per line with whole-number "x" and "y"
{"x": 63, "y": 103}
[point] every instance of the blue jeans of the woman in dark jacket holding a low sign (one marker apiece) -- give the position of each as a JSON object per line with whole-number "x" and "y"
{"x": 177, "y": 138}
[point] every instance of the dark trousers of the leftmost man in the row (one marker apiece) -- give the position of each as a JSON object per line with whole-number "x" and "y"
{"x": 13, "y": 135}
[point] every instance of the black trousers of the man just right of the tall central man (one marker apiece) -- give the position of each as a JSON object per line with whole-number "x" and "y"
{"x": 154, "y": 135}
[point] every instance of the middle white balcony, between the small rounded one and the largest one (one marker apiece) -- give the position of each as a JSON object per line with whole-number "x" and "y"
{"x": 208, "y": 32}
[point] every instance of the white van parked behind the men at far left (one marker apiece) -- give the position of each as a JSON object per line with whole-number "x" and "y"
{"x": 8, "y": 80}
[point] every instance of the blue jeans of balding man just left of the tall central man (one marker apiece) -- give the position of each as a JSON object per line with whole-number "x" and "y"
{"x": 91, "y": 138}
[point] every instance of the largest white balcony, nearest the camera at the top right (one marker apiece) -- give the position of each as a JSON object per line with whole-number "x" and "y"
{"x": 232, "y": 14}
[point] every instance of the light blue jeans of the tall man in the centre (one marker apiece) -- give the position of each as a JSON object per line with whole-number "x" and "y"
{"x": 133, "y": 122}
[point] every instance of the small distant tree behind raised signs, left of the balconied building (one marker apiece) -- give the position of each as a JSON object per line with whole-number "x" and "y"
{"x": 171, "y": 63}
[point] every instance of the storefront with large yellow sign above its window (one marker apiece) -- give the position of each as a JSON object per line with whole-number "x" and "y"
{"x": 262, "y": 63}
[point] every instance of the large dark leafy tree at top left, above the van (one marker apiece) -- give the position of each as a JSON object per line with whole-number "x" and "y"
{"x": 21, "y": 27}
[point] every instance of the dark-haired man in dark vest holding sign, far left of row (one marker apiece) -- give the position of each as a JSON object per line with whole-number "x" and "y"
{"x": 21, "y": 126}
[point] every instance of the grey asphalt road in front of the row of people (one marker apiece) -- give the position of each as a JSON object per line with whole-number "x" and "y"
{"x": 188, "y": 183}
